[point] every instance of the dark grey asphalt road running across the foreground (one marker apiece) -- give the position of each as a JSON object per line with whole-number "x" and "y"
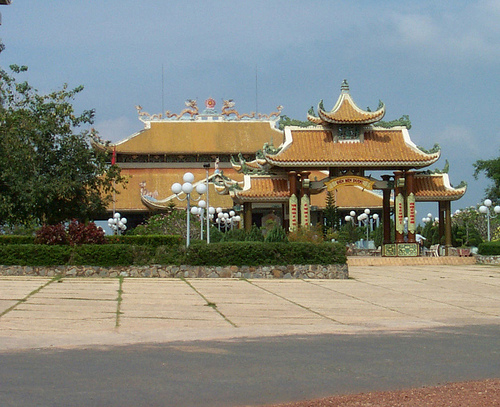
{"x": 241, "y": 372}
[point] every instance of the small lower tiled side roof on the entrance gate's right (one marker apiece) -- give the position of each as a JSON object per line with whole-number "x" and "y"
{"x": 436, "y": 187}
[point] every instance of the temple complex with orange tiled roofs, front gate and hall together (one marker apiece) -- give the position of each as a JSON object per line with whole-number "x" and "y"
{"x": 264, "y": 167}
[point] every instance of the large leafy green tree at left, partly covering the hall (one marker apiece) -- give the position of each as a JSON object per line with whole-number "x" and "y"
{"x": 49, "y": 171}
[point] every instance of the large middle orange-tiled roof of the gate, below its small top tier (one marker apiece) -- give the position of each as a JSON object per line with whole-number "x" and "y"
{"x": 381, "y": 148}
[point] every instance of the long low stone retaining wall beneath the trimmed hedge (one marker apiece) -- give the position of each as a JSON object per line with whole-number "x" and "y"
{"x": 332, "y": 271}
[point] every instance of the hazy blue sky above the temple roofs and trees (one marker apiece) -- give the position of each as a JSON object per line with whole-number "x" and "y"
{"x": 438, "y": 62}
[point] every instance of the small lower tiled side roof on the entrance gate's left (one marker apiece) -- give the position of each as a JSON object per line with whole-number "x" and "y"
{"x": 265, "y": 188}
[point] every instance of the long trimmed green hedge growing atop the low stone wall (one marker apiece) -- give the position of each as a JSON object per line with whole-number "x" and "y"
{"x": 216, "y": 254}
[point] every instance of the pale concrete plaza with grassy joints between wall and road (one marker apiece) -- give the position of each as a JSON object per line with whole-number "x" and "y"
{"x": 44, "y": 312}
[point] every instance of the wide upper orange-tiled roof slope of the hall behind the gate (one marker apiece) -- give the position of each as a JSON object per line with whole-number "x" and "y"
{"x": 200, "y": 137}
